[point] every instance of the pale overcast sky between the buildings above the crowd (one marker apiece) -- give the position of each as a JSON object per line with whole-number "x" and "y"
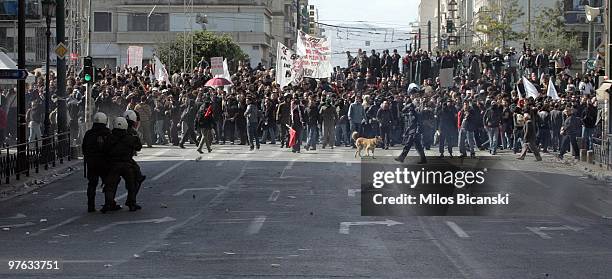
{"x": 395, "y": 15}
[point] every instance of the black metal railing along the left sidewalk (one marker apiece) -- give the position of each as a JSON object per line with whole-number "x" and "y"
{"x": 22, "y": 159}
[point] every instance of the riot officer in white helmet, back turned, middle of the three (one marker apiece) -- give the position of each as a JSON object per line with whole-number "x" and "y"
{"x": 120, "y": 149}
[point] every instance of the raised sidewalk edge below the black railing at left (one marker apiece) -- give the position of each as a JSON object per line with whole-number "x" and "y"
{"x": 38, "y": 181}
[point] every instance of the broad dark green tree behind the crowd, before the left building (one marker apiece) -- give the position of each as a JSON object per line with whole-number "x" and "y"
{"x": 205, "y": 44}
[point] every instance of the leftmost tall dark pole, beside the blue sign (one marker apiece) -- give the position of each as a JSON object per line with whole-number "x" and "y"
{"x": 21, "y": 117}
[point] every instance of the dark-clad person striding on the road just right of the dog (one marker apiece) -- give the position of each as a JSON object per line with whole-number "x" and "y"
{"x": 413, "y": 132}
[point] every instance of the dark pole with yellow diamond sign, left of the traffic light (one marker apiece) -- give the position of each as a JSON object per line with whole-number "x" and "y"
{"x": 60, "y": 24}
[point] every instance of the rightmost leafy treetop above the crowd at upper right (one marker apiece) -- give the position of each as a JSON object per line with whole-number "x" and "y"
{"x": 551, "y": 33}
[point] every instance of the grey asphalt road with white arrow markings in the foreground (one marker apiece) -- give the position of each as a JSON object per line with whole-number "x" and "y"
{"x": 271, "y": 213}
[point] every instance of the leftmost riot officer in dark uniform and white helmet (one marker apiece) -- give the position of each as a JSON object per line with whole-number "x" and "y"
{"x": 94, "y": 156}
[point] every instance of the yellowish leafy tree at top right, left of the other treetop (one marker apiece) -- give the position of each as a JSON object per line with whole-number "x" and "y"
{"x": 497, "y": 23}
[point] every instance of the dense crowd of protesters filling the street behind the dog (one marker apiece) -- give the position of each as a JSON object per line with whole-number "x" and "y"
{"x": 486, "y": 107}
